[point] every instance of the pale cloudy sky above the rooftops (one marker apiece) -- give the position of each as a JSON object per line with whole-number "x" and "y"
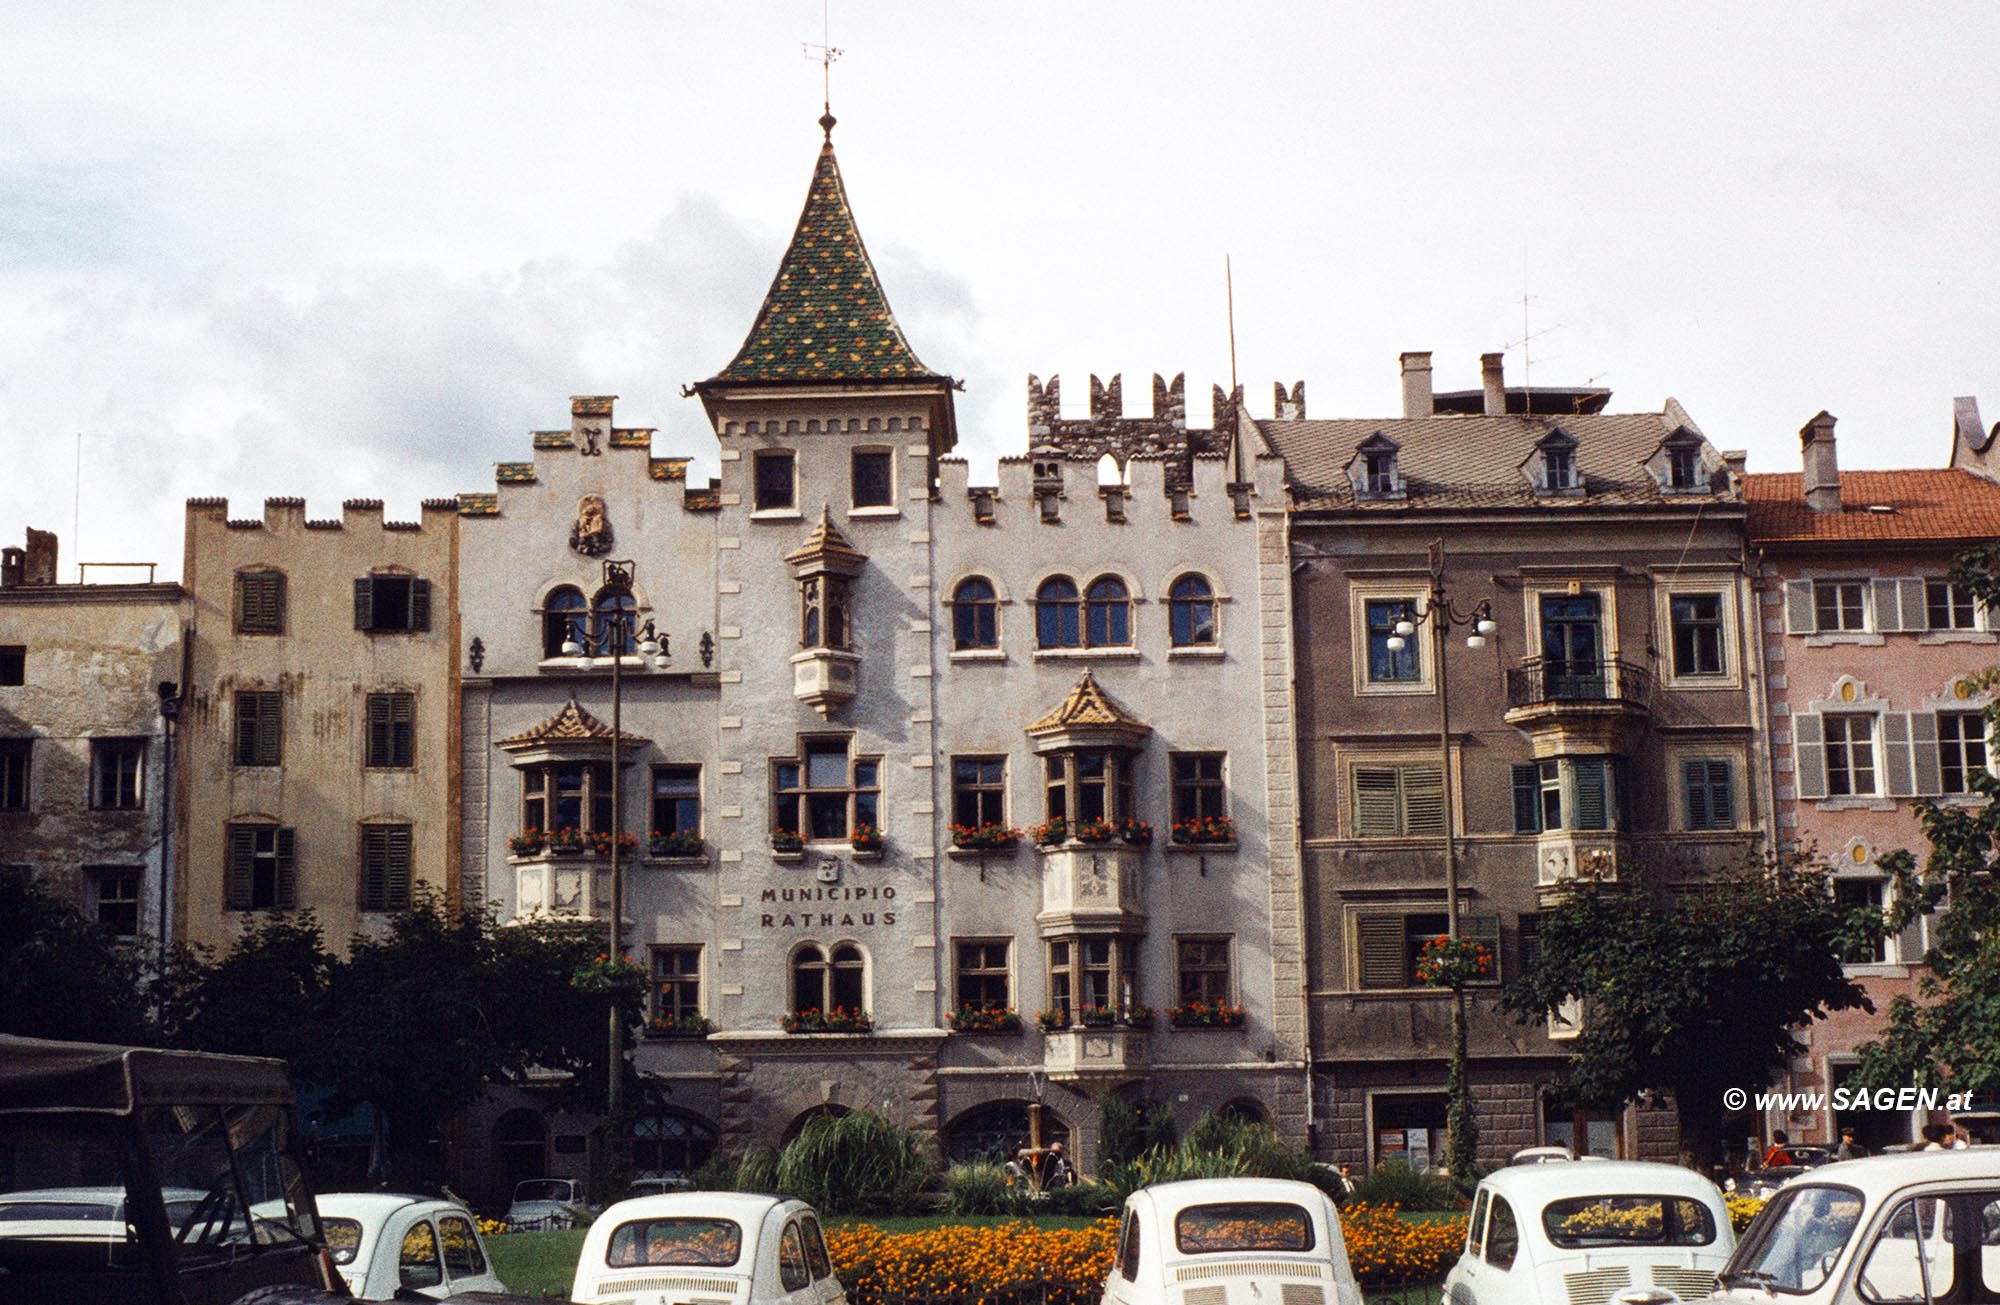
{"x": 363, "y": 249}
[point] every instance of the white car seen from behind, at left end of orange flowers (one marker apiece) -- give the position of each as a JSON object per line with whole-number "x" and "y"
{"x": 719, "y": 1246}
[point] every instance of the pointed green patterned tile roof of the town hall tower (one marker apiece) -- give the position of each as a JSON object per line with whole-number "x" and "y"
{"x": 825, "y": 317}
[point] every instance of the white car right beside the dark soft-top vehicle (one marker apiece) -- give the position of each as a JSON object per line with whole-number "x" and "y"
{"x": 389, "y": 1244}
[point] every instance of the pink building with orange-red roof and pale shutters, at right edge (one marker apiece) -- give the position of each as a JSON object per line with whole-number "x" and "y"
{"x": 1869, "y": 656}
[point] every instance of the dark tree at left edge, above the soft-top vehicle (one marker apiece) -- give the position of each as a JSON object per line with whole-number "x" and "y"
{"x": 61, "y": 974}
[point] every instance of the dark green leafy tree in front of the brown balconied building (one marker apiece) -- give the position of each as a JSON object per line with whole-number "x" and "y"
{"x": 1693, "y": 988}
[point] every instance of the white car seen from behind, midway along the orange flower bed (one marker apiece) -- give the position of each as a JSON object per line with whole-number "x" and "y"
{"x": 1231, "y": 1242}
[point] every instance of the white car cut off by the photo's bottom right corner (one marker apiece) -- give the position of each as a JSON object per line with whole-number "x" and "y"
{"x": 1915, "y": 1228}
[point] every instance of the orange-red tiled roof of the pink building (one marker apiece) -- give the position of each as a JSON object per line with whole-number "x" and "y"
{"x": 1947, "y": 505}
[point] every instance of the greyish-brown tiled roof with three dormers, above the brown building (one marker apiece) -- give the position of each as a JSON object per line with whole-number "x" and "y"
{"x": 1477, "y": 461}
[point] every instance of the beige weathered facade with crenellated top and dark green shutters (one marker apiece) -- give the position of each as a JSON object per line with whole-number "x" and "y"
{"x": 319, "y": 734}
